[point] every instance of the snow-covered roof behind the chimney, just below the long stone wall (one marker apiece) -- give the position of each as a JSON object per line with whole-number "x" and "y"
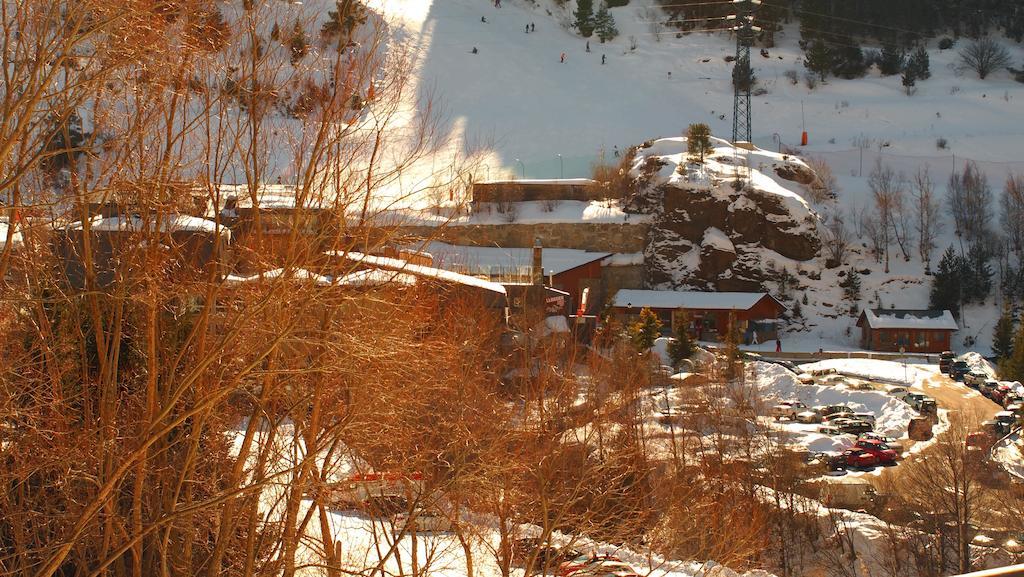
{"x": 488, "y": 260}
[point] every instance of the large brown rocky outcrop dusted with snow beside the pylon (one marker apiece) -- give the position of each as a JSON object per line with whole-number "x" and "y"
{"x": 711, "y": 234}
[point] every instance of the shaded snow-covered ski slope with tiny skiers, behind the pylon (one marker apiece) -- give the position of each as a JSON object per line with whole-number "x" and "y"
{"x": 517, "y": 97}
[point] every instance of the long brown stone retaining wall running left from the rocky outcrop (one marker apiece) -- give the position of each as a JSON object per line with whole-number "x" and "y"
{"x": 585, "y": 236}
